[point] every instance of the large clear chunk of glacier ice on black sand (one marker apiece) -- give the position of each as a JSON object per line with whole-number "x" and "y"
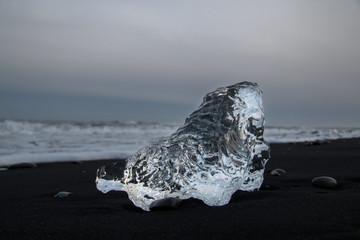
{"x": 219, "y": 150}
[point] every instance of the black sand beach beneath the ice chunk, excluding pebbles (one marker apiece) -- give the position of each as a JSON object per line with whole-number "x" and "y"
{"x": 286, "y": 207}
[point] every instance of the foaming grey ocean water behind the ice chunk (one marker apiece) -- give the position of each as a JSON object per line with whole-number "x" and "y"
{"x": 51, "y": 141}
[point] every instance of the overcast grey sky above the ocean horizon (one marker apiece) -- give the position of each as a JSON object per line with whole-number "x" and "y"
{"x": 155, "y": 60}
